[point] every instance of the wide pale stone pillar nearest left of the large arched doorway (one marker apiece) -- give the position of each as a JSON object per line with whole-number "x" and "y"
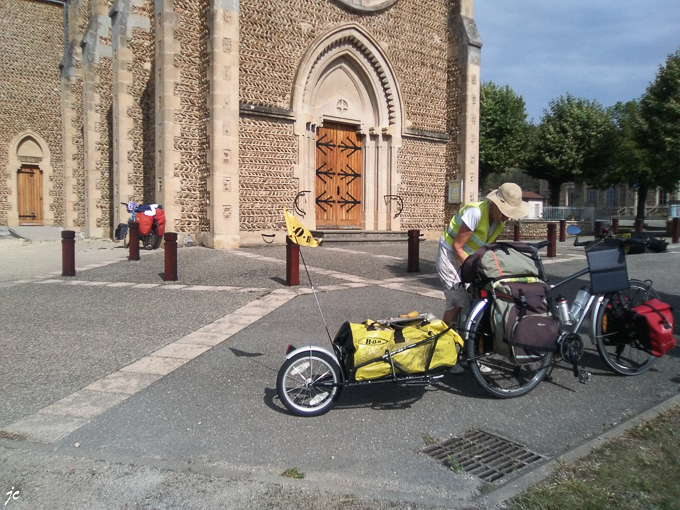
{"x": 223, "y": 128}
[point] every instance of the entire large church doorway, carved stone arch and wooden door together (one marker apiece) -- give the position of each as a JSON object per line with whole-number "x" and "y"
{"x": 348, "y": 115}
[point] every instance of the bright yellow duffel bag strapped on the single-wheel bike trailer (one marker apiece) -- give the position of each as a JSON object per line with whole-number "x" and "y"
{"x": 369, "y": 349}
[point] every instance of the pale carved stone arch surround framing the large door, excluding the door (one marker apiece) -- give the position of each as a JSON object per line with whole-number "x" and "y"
{"x": 345, "y": 78}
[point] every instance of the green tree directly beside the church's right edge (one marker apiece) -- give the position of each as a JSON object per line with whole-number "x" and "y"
{"x": 502, "y": 129}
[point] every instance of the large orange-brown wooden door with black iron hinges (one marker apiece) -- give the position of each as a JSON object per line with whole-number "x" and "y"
{"x": 338, "y": 177}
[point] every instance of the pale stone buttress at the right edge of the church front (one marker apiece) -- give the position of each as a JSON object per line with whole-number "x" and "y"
{"x": 469, "y": 58}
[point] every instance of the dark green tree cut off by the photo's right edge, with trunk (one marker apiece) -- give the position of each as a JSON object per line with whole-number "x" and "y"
{"x": 658, "y": 132}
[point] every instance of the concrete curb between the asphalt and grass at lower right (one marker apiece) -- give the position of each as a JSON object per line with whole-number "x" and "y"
{"x": 512, "y": 488}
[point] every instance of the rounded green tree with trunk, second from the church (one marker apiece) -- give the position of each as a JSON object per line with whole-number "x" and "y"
{"x": 574, "y": 142}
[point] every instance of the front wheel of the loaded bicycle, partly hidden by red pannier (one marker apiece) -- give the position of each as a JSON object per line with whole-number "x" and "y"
{"x": 623, "y": 354}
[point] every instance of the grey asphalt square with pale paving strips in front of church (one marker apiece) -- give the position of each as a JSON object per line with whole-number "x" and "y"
{"x": 210, "y": 432}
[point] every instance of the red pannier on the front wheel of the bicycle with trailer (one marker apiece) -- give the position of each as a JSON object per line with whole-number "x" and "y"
{"x": 653, "y": 322}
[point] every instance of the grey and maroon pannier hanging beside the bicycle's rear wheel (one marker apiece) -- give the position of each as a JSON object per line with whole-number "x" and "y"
{"x": 524, "y": 328}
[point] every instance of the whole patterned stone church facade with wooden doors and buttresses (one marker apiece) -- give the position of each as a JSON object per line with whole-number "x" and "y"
{"x": 359, "y": 114}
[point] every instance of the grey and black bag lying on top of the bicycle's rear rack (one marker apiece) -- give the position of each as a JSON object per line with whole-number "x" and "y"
{"x": 501, "y": 260}
